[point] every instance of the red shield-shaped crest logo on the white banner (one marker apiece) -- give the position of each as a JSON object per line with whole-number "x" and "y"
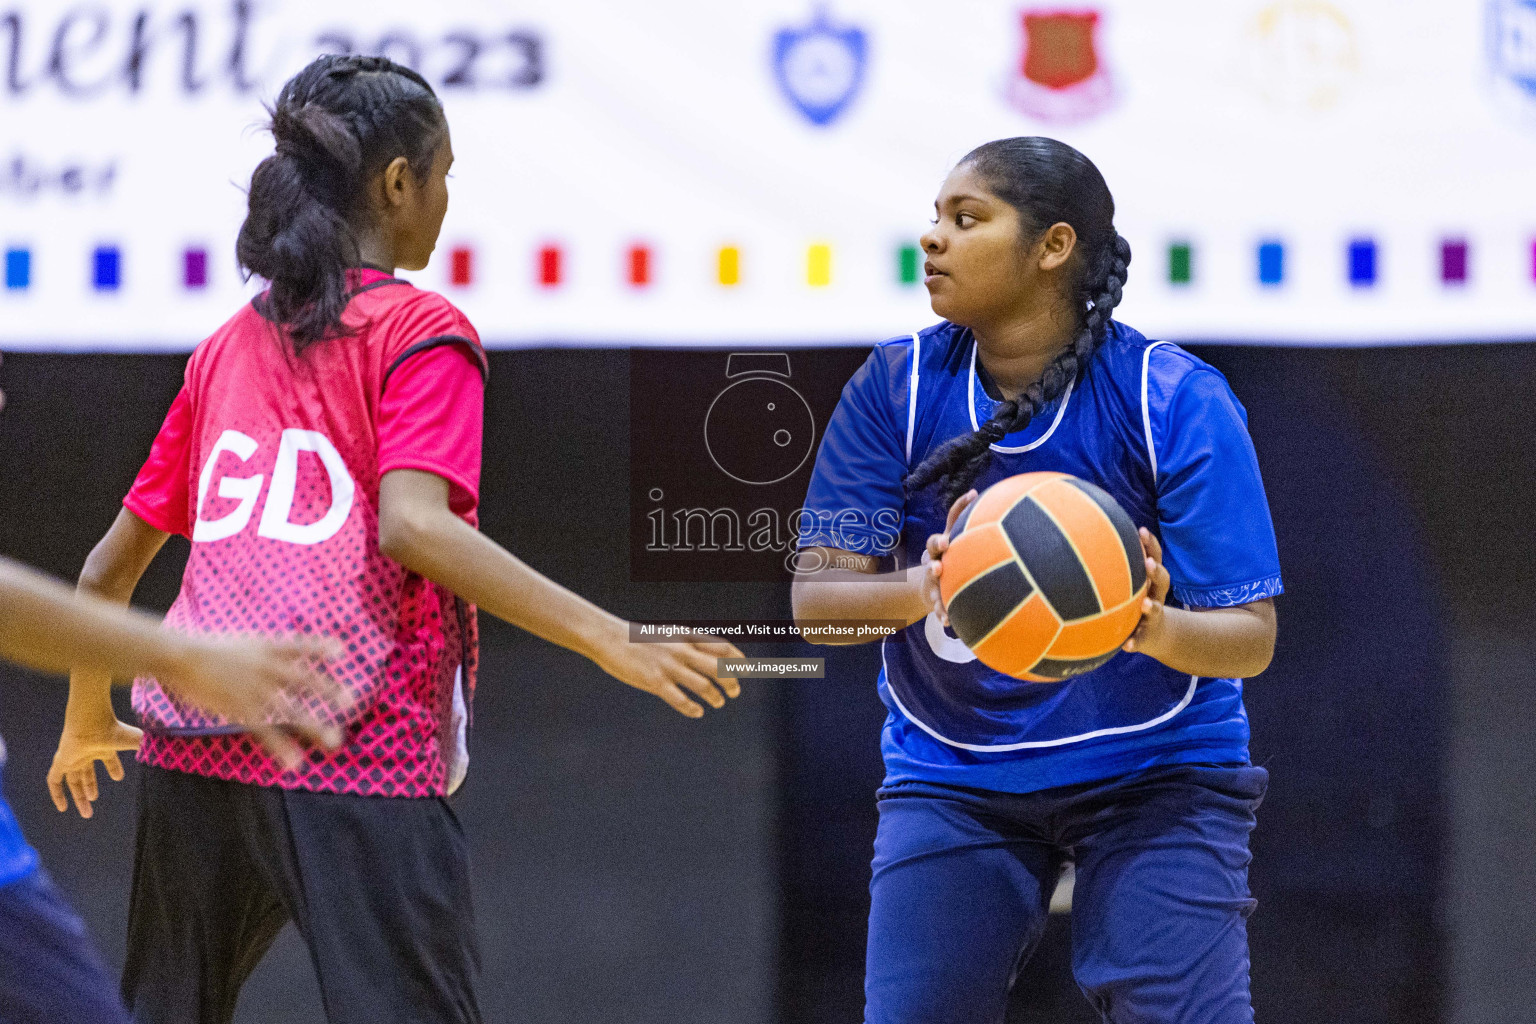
{"x": 1062, "y": 78}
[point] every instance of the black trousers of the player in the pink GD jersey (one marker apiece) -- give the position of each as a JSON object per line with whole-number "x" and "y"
{"x": 379, "y": 888}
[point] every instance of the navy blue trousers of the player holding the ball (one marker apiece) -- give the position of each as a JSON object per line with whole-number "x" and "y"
{"x": 964, "y": 880}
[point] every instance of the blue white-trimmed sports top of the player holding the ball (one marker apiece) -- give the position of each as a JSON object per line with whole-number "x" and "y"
{"x": 1147, "y": 421}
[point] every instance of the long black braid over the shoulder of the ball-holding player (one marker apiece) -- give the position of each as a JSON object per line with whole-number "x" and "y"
{"x": 961, "y": 461}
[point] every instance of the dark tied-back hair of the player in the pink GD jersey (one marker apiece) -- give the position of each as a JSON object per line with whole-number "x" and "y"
{"x": 337, "y": 125}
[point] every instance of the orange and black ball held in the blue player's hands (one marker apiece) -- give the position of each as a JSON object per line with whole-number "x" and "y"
{"x": 1044, "y": 578}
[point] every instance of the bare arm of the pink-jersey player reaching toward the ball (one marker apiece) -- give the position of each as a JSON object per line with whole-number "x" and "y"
{"x": 419, "y": 530}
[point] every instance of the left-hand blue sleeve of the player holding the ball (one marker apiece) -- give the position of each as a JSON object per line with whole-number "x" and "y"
{"x": 856, "y": 498}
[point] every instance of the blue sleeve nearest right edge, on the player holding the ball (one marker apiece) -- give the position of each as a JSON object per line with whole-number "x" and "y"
{"x": 1219, "y": 543}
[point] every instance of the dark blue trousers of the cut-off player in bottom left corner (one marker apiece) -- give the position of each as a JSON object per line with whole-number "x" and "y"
{"x": 50, "y": 969}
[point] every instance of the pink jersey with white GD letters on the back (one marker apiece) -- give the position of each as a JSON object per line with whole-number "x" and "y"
{"x": 271, "y": 464}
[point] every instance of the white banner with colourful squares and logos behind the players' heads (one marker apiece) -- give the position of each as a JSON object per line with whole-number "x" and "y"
{"x": 1288, "y": 171}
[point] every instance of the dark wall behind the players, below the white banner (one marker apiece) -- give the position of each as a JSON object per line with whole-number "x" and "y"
{"x": 631, "y": 865}
